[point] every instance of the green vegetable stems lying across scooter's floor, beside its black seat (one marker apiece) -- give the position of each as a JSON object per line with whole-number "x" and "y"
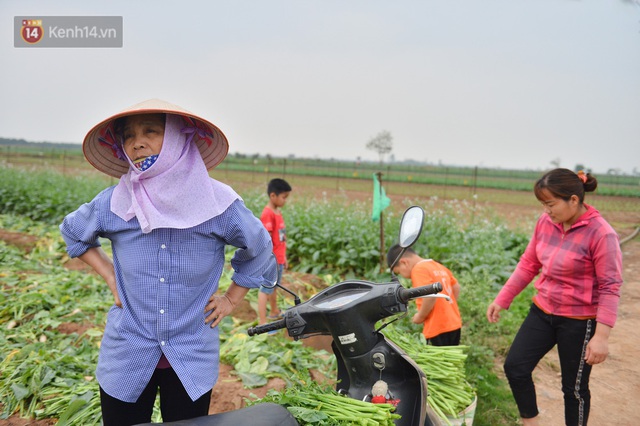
{"x": 312, "y": 404}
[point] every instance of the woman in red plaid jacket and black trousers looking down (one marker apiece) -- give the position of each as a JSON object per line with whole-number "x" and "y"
{"x": 576, "y": 256}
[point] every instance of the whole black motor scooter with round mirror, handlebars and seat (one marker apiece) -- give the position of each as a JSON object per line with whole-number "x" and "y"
{"x": 349, "y": 312}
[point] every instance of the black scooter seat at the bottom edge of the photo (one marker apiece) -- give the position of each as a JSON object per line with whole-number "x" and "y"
{"x": 266, "y": 414}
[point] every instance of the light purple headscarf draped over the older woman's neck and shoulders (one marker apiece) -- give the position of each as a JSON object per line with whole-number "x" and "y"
{"x": 176, "y": 192}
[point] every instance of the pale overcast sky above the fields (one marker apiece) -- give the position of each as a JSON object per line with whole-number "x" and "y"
{"x": 516, "y": 84}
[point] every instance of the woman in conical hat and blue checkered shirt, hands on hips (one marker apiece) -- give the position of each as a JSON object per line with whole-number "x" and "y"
{"x": 168, "y": 223}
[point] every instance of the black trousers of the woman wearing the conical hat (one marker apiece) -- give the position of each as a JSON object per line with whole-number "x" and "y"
{"x": 175, "y": 403}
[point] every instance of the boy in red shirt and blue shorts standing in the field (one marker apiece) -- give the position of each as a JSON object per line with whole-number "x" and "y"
{"x": 278, "y": 191}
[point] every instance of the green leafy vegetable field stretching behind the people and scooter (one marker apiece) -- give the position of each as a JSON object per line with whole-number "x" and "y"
{"x": 52, "y": 313}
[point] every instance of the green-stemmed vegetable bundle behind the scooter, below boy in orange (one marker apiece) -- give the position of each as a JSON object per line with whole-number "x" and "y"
{"x": 449, "y": 391}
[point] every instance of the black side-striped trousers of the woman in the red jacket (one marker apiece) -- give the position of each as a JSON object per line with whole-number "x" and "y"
{"x": 538, "y": 334}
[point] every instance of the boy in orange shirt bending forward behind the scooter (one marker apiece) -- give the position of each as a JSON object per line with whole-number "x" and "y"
{"x": 441, "y": 317}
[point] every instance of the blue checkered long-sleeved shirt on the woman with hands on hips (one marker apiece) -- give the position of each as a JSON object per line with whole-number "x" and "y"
{"x": 164, "y": 280}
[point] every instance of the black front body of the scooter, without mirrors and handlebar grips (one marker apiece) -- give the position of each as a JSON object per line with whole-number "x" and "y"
{"x": 349, "y": 311}
